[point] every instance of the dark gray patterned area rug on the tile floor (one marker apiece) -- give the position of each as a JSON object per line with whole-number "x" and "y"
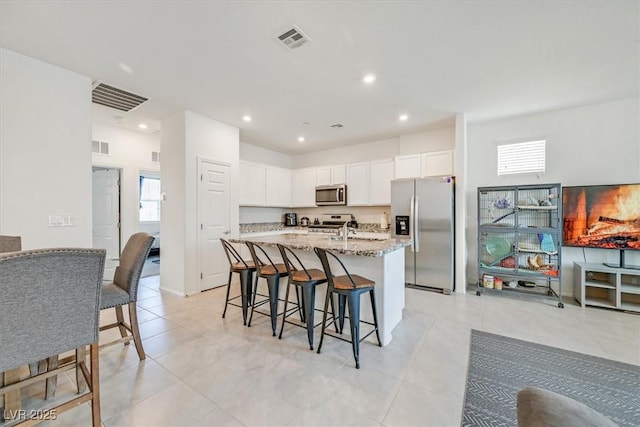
{"x": 499, "y": 367}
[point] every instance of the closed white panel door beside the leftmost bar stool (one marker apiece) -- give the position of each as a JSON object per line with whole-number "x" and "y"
{"x": 214, "y": 210}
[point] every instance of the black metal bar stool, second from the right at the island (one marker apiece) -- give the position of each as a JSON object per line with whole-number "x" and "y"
{"x": 307, "y": 280}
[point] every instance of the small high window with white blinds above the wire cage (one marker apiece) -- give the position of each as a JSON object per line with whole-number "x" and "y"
{"x": 521, "y": 157}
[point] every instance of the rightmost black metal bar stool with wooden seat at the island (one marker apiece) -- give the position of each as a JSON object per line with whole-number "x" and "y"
{"x": 349, "y": 287}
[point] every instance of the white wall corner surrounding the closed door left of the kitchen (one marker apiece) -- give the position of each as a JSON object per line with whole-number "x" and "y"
{"x": 187, "y": 137}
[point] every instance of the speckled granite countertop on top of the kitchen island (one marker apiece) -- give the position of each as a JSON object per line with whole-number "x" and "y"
{"x": 367, "y": 247}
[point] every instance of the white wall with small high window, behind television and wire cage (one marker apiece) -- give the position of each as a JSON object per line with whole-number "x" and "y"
{"x": 597, "y": 144}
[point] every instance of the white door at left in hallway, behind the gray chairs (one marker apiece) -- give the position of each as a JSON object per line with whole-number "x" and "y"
{"x": 106, "y": 216}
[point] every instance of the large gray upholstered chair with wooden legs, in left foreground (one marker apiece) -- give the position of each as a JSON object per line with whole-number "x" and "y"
{"x": 49, "y": 305}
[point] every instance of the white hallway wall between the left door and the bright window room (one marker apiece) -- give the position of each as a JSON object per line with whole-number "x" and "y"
{"x": 129, "y": 151}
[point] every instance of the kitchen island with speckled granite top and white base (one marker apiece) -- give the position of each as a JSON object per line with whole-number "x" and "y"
{"x": 379, "y": 260}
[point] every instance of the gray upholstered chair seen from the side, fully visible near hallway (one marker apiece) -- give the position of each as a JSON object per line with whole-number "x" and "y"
{"x": 124, "y": 290}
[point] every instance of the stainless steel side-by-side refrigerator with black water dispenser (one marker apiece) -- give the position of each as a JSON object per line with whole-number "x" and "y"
{"x": 423, "y": 210}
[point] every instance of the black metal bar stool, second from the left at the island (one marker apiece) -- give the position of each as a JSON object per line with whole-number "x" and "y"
{"x": 271, "y": 272}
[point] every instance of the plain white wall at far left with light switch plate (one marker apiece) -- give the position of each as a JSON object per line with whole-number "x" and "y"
{"x": 45, "y": 152}
